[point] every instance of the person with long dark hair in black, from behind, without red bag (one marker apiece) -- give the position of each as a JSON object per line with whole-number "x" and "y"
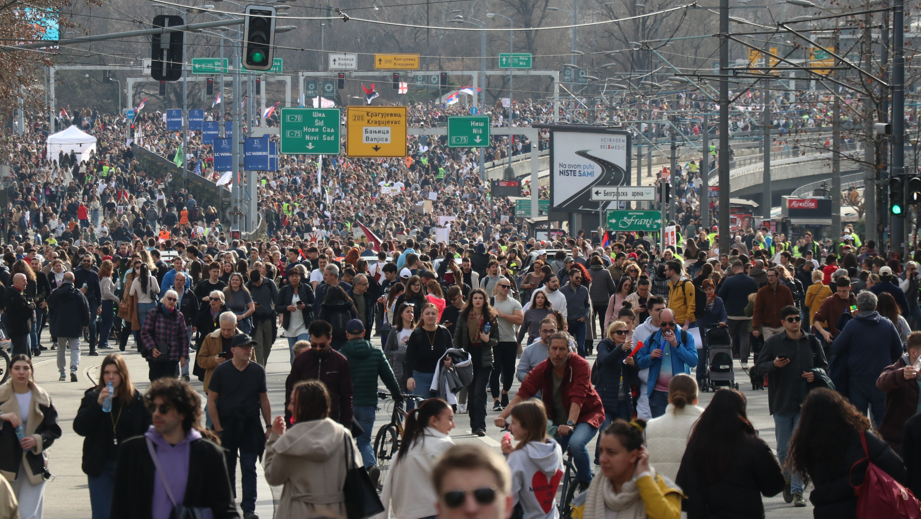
{"x": 726, "y": 467}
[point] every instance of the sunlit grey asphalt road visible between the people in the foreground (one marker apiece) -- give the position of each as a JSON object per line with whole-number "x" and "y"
{"x": 67, "y": 494}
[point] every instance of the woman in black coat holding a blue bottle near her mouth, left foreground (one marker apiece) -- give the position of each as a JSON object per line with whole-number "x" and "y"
{"x": 106, "y": 431}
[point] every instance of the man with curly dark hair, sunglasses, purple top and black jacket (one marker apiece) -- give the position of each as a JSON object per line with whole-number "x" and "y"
{"x": 181, "y": 445}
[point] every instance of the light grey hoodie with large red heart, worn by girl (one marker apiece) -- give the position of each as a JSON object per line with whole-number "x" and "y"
{"x": 537, "y": 470}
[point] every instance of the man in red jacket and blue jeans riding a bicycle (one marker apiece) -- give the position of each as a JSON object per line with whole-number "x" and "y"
{"x": 572, "y": 404}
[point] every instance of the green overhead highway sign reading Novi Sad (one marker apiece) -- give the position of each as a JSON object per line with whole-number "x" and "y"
{"x": 310, "y": 131}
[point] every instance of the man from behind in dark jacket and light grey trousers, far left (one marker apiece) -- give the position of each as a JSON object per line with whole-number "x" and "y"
{"x": 70, "y": 312}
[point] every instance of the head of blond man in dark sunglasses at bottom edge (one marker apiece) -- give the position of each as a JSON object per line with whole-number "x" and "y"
{"x": 472, "y": 481}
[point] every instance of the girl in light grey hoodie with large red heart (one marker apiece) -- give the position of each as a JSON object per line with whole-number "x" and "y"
{"x": 536, "y": 462}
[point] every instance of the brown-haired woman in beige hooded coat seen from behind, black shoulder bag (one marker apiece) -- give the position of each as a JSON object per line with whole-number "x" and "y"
{"x": 310, "y": 459}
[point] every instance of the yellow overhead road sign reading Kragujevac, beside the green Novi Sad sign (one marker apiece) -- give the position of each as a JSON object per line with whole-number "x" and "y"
{"x": 376, "y": 131}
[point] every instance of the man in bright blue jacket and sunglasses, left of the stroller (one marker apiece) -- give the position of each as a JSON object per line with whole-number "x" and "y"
{"x": 668, "y": 352}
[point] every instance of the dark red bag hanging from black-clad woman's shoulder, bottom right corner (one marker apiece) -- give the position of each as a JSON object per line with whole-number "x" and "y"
{"x": 880, "y": 496}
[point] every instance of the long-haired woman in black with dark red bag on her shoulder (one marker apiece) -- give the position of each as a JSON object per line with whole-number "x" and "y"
{"x": 828, "y": 443}
